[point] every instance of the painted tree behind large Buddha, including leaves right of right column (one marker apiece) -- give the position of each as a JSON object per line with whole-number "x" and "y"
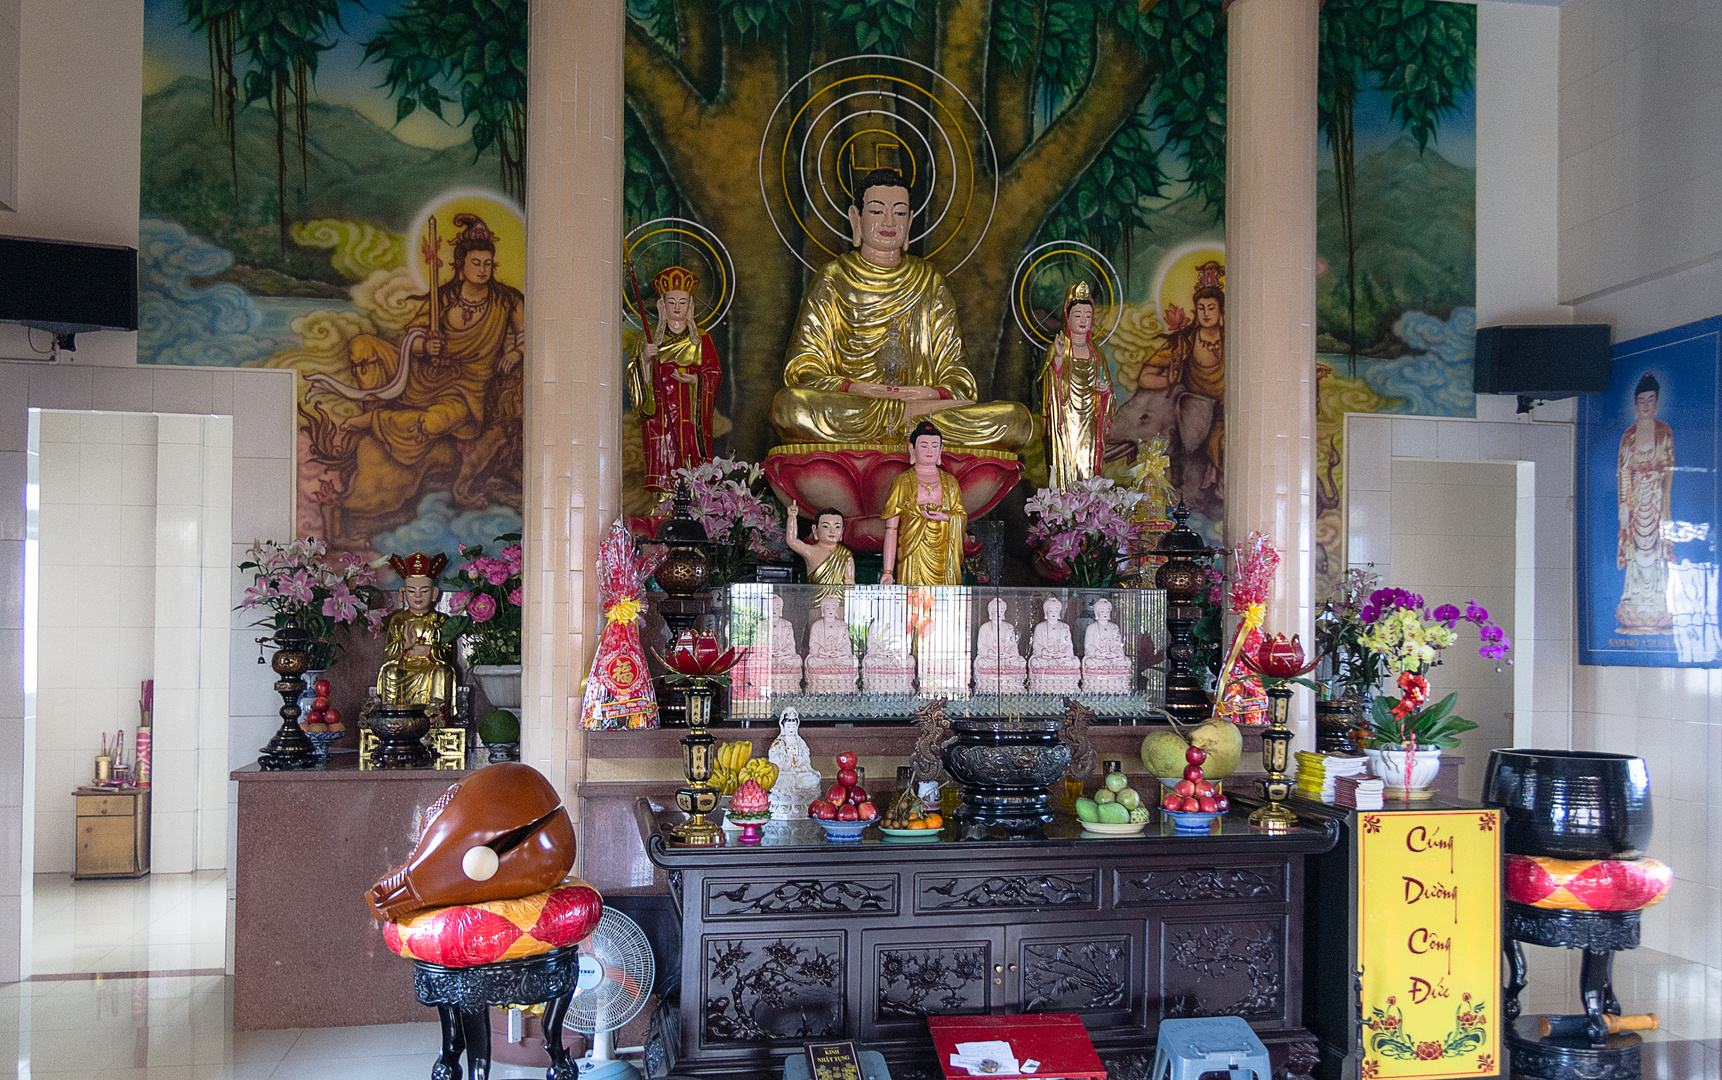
{"x": 1096, "y": 108}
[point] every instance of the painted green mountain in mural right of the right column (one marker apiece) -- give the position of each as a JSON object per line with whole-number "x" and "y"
{"x": 1416, "y": 247}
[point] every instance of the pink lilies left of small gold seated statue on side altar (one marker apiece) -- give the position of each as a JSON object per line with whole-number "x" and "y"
{"x": 299, "y": 585}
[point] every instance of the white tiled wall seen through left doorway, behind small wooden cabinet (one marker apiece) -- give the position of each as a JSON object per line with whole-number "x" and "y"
{"x": 135, "y": 537}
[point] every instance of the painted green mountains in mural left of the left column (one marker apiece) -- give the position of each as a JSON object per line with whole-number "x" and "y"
{"x": 356, "y": 170}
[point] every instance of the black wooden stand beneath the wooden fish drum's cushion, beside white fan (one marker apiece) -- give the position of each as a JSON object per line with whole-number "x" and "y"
{"x": 464, "y": 998}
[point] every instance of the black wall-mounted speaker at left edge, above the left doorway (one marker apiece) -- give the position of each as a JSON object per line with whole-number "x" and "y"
{"x": 68, "y": 289}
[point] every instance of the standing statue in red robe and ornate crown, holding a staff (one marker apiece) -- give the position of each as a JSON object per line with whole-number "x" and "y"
{"x": 674, "y": 382}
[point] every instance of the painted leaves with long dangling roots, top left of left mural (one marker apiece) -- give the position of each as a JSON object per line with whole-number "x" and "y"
{"x": 280, "y": 42}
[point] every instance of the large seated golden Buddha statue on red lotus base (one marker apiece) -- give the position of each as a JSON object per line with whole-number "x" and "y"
{"x": 877, "y": 344}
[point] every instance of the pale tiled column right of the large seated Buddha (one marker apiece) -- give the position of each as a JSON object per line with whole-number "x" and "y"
{"x": 1272, "y": 146}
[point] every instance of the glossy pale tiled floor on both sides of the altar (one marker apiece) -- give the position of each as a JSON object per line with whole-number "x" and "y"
{"x": 73, "y": 1024}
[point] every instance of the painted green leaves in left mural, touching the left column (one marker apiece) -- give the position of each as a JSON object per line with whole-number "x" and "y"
{"x": 471, "y": 54}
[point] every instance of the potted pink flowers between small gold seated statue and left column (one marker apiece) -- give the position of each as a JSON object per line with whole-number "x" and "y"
{"x": 485, "y": 604}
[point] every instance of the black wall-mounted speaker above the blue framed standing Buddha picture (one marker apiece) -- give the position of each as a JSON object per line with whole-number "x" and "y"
{"x": 1544, "y": 361}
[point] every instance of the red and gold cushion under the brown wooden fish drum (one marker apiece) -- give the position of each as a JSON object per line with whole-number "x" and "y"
{"x": 478, "y": 934}
